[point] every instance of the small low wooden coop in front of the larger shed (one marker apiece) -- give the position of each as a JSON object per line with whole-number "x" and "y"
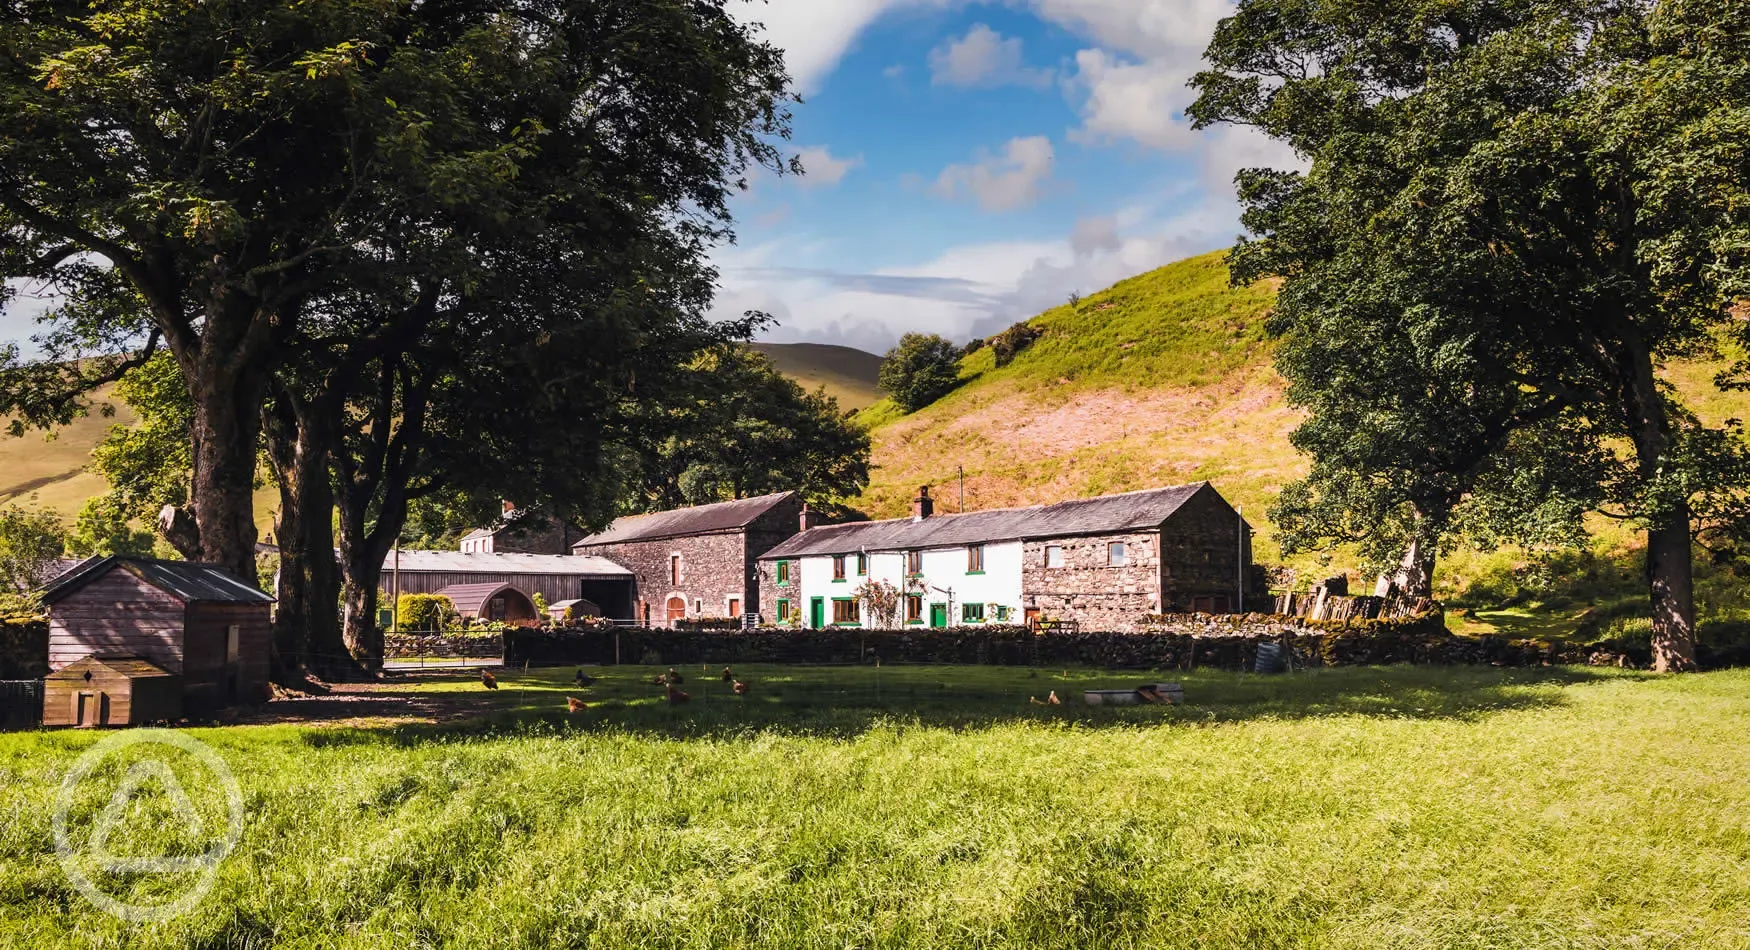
{"x": 111, "y": 692}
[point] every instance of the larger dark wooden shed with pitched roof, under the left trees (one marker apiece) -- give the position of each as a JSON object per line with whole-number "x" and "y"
{"x": 195, "y": 622}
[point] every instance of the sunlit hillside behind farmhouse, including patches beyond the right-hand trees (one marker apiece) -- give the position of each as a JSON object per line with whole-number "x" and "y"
{"x": 1166, "y": 379}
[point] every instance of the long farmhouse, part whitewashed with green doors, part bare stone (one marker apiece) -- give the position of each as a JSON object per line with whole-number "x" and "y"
{"x": 1100, "y": 562}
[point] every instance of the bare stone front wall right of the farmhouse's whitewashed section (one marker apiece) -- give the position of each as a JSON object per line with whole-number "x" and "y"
{"x": 1088, "y": 589}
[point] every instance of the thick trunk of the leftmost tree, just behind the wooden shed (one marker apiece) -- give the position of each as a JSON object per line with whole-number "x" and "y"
{"x": 223, "y": 492}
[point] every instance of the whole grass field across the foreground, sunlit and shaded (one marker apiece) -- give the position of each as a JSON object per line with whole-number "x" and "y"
{"x": 935, "y": 807}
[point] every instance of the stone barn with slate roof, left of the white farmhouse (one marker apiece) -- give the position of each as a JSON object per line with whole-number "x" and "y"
{"x": 699, "y": 562}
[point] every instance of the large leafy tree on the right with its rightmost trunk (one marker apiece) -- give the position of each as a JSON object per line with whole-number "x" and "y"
{"x": 1459, "y": 155}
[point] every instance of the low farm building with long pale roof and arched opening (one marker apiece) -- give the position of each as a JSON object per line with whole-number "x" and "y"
{"x": 514, "y": 580}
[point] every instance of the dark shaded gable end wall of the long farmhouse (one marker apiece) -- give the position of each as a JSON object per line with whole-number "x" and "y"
{"x": 1201, "y": 552}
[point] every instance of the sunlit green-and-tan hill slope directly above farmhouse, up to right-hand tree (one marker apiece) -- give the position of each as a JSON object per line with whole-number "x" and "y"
{"x": 1158, "y": 381}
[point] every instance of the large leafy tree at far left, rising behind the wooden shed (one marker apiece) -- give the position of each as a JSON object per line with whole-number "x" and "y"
{"x": 197, "y": 178}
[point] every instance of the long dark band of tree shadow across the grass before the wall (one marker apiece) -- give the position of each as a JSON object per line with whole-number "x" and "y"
{"x": 843, "y": 702}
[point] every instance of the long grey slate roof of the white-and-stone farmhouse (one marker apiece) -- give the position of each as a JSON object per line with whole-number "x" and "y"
{"x": 1105, "y": 515}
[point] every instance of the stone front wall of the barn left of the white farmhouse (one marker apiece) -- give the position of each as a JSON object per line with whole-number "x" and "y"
{"x": 713, "y": 568}
